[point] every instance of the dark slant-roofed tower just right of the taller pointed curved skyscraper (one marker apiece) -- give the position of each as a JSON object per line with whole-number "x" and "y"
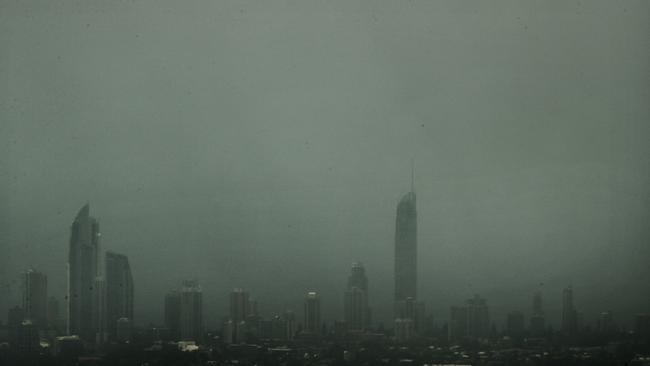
{"x": 119, "y": 291}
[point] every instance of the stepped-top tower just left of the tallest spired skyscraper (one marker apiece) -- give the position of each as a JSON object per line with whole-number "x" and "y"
{"x": 355, "y": 305}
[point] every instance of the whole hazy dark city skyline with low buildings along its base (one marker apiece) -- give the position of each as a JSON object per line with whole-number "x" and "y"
{"x": 246, "y": 331}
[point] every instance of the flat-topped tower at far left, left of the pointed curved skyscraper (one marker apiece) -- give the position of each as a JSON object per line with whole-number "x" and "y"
{"x": 35, "y": 298}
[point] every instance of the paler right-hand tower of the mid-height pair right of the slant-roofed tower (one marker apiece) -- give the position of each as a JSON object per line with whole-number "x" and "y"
{"x": 191, "y": 320}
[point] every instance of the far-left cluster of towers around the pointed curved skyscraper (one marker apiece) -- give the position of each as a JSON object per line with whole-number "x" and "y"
{"x": 99, "y": 296}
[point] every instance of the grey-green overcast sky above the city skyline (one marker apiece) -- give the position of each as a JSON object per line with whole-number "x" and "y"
{"x": 265, "y": 145}
